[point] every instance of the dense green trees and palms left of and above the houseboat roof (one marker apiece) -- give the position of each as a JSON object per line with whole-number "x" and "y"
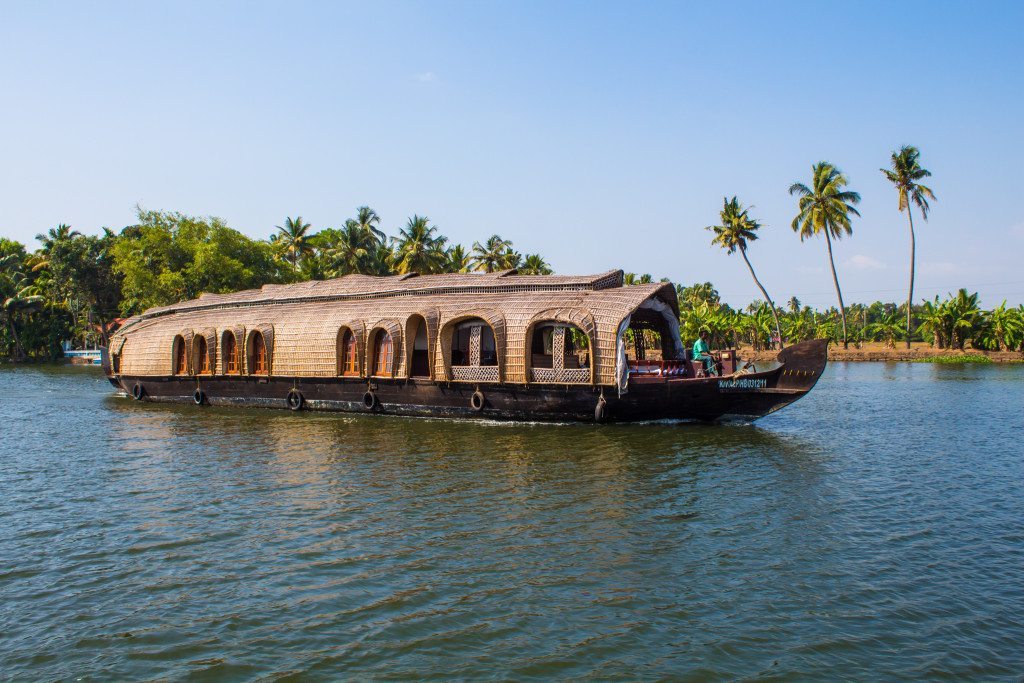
{"x": 75, "y": 286}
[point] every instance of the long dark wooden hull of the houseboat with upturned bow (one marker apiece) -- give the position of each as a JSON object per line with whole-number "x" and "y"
{"x": 742, "y": 398}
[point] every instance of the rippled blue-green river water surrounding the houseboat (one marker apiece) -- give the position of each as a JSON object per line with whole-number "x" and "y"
{"x": 873, "y": 531}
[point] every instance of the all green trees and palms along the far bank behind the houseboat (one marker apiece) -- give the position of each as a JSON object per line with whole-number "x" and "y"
{"x": 75, "y": 287}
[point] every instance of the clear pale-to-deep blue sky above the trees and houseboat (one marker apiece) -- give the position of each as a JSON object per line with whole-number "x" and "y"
{"x": 601, "y": 135}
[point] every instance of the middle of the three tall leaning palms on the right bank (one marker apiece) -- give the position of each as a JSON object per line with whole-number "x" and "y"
{"x": 826, "y": 209}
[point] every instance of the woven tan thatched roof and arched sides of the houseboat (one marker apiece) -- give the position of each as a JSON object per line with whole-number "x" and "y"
{"x": 304, "y": 320}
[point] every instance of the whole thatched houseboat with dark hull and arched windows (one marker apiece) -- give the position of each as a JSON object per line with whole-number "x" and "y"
{"x": 499, "y": 346}
